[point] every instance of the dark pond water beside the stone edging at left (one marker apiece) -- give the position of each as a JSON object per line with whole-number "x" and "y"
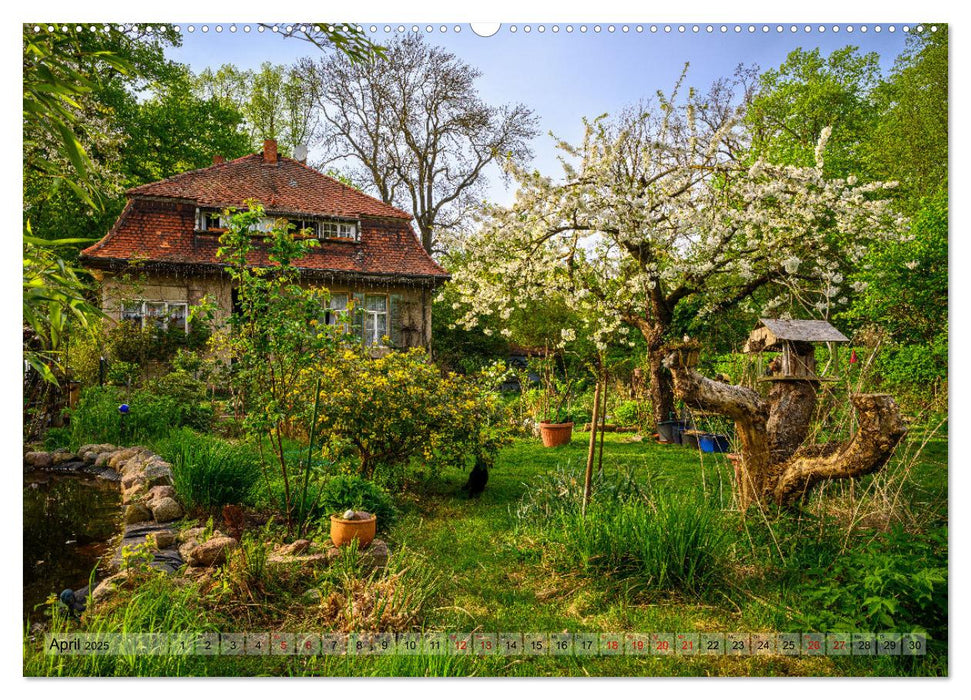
{"x": 68, "y": 523}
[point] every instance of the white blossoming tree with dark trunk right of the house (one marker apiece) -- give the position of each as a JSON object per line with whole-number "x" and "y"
{"x": 658, "y": 205}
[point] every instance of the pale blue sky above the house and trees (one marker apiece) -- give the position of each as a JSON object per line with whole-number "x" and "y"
{"x": 564, "y": 76}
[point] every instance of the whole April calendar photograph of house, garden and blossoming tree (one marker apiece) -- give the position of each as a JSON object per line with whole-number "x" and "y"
{"x": 513, "y": 350}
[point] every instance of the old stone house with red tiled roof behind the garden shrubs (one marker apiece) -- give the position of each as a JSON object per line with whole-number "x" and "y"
{"x": 160, "y": 256}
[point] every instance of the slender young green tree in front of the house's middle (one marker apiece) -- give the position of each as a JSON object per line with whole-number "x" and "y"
{"x": 274, "y": 341}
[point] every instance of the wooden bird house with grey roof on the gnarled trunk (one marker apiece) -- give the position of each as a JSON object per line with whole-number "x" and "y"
{"x": 795, "y": 342}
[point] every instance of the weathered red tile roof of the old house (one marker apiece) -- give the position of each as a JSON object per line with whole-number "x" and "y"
{"x": 158, "y": 223}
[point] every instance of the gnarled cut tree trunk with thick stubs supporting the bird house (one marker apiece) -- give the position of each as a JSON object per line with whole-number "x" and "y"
{"x": 774, "y": 467}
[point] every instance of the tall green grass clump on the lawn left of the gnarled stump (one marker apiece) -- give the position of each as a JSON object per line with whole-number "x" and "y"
{"x": 632, "y": 530}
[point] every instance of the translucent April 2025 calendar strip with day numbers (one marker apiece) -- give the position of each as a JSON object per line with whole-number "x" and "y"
{"x": 491, "y": 644}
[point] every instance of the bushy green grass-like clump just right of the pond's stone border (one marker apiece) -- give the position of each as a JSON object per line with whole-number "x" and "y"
{"x": 208, "y": 472}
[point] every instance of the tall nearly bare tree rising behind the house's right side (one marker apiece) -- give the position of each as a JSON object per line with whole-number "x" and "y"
{"x": 416, "y": 127}
